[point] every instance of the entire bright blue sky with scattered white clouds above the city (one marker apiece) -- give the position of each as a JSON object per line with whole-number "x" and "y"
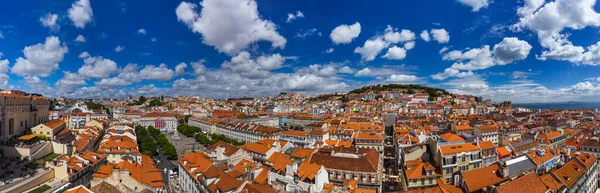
{"x": 524, "y": 51}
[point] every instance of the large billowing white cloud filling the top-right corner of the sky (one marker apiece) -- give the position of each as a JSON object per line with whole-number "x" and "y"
{"x": 550, "y": 19}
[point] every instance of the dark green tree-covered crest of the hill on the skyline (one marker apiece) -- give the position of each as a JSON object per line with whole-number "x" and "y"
{"x": 408, "y": 88}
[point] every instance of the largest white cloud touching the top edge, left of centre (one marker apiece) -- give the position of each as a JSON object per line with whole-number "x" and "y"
{"x": 229, "y": 25}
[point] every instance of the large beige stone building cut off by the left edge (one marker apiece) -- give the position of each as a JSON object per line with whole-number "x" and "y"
{"x": 20, "y": 112}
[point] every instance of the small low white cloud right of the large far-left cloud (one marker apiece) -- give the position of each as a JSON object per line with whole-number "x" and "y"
{"x": 97, "y": 67}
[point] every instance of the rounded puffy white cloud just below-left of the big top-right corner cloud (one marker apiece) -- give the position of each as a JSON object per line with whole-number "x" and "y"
{"x": 511, "y": 49}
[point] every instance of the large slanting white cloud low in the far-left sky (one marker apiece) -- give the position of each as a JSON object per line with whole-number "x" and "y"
{"x": 40, "y": 59}
